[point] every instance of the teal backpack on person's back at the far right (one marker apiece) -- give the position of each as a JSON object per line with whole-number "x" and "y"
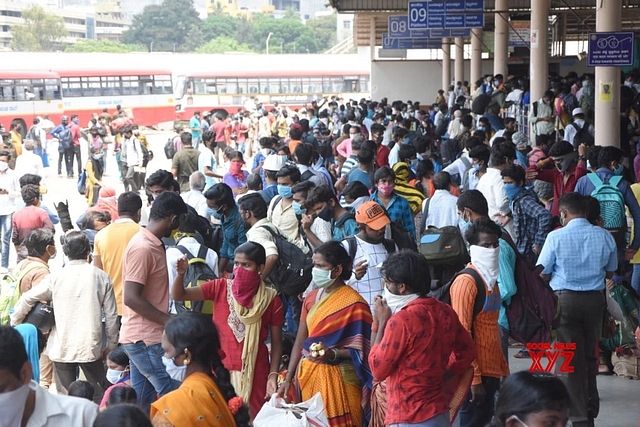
{"x": 612, "y": 206}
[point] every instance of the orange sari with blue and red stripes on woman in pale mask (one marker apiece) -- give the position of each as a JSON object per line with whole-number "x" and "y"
{"x": 339, "y": 319}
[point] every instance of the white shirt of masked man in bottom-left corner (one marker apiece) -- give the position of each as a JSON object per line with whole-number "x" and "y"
{"x": 55, "y": 410}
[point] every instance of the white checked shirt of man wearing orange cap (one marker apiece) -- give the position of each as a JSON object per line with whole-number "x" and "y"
{"x": 370, "y": 284}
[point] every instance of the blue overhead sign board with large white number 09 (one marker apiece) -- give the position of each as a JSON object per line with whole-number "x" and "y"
{"x": 434, "y": 14}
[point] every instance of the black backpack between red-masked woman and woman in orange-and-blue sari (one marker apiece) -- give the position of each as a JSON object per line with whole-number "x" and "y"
{"x": 292, "y": 273}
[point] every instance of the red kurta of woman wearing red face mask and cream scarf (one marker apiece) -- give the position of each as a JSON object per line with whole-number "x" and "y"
{"x": 216, "y": 291}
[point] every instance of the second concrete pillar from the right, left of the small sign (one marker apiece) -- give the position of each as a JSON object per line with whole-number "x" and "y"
{"x": 539, "y": 65}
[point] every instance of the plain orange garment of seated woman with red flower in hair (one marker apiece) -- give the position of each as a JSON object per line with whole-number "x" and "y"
{"x": 198, "y": 402}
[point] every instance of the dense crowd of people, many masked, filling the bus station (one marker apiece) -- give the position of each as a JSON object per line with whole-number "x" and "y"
{"x": 200, "y": 291}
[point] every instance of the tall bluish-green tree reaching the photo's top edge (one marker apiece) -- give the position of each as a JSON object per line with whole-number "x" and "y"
{"x": 172, "y": 26}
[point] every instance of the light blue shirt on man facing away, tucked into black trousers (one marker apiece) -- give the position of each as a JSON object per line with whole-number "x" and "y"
{"x": 578, "y": 256}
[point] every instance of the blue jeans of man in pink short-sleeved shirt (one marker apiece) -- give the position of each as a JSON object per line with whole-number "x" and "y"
{"x": 149, "y": 376}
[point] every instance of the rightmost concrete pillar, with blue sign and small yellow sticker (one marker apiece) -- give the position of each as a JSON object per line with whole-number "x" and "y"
{"x": 607, "y": 108}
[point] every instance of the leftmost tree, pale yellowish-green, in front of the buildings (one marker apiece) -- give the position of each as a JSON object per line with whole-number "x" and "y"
{"x": 41, "y": 31}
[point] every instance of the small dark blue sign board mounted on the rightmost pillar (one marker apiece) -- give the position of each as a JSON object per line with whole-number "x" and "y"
{"x": 610, "y": 49}
